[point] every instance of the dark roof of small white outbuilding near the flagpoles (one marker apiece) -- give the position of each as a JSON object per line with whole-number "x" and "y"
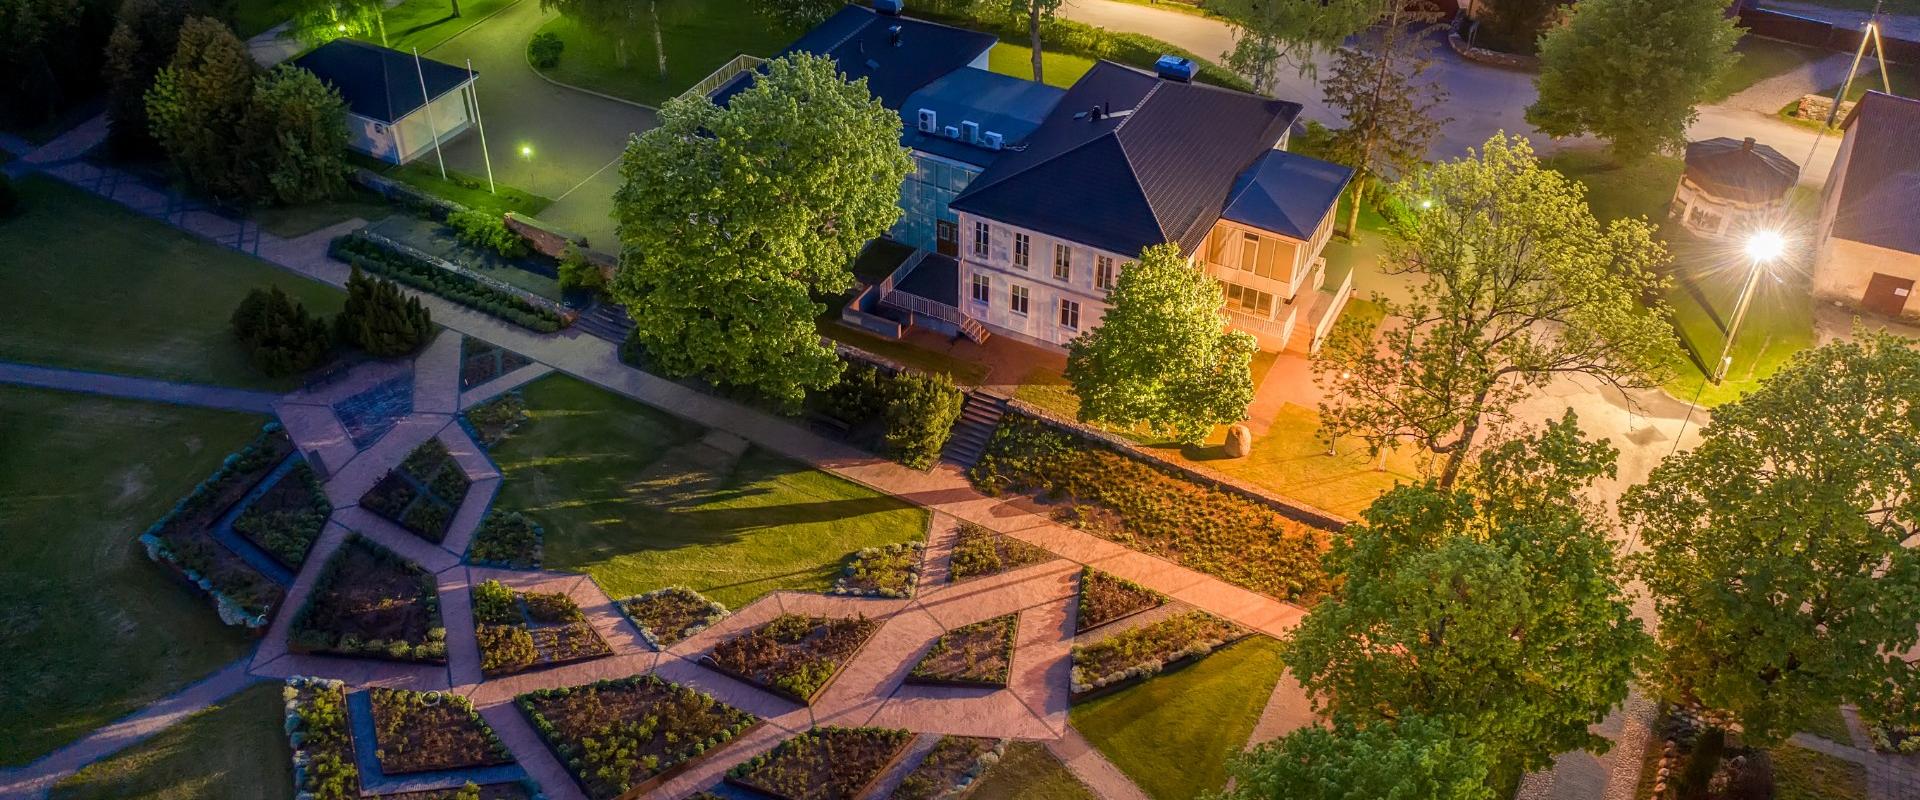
{"x": 379, "y": 83}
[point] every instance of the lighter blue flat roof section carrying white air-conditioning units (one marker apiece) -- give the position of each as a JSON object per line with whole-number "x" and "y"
{"x": 1003, "y": 105}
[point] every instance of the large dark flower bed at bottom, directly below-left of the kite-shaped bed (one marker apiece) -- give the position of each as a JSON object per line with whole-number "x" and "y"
{"x": 619, "y": 736}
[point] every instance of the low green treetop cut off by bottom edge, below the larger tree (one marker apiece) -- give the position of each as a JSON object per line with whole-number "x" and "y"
{"x": 1408, "y": 759}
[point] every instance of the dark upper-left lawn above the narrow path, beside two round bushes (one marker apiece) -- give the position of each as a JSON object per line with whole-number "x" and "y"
{"x": 89, "y": 285}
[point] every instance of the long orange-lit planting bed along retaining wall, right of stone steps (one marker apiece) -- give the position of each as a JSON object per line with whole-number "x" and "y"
{"x": 1151, "y": 509}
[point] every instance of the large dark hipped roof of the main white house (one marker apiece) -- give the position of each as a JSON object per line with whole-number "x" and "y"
{"x": 1157, "y": 164}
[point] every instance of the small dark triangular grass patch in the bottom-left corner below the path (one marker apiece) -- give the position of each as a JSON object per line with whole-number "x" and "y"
{"x": 233, "y": 751}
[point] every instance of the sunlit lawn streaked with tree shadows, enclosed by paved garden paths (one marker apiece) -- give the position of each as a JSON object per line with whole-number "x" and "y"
{"x": 636, "y": 500}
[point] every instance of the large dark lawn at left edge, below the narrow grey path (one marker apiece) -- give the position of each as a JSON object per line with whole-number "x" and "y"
{"x": 91, "y": 628}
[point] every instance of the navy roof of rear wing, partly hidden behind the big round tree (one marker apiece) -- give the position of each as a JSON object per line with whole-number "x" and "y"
{"x": 865, "y": 47}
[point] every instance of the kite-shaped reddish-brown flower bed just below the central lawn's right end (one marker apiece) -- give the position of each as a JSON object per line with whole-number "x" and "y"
{"x": 794, "y": 655}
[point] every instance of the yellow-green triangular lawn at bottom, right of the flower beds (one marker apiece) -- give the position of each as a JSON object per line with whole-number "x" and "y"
{"x": 1172, "y": 736}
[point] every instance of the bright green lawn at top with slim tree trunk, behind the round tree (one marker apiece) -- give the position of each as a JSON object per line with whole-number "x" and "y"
{"x": 700, "y": 39}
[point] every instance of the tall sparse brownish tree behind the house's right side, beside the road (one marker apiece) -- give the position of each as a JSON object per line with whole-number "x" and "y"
{"x": 1389, "y": 110}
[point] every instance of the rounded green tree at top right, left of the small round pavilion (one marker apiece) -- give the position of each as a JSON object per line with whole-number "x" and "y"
{"x": 1631, "y": 72}
